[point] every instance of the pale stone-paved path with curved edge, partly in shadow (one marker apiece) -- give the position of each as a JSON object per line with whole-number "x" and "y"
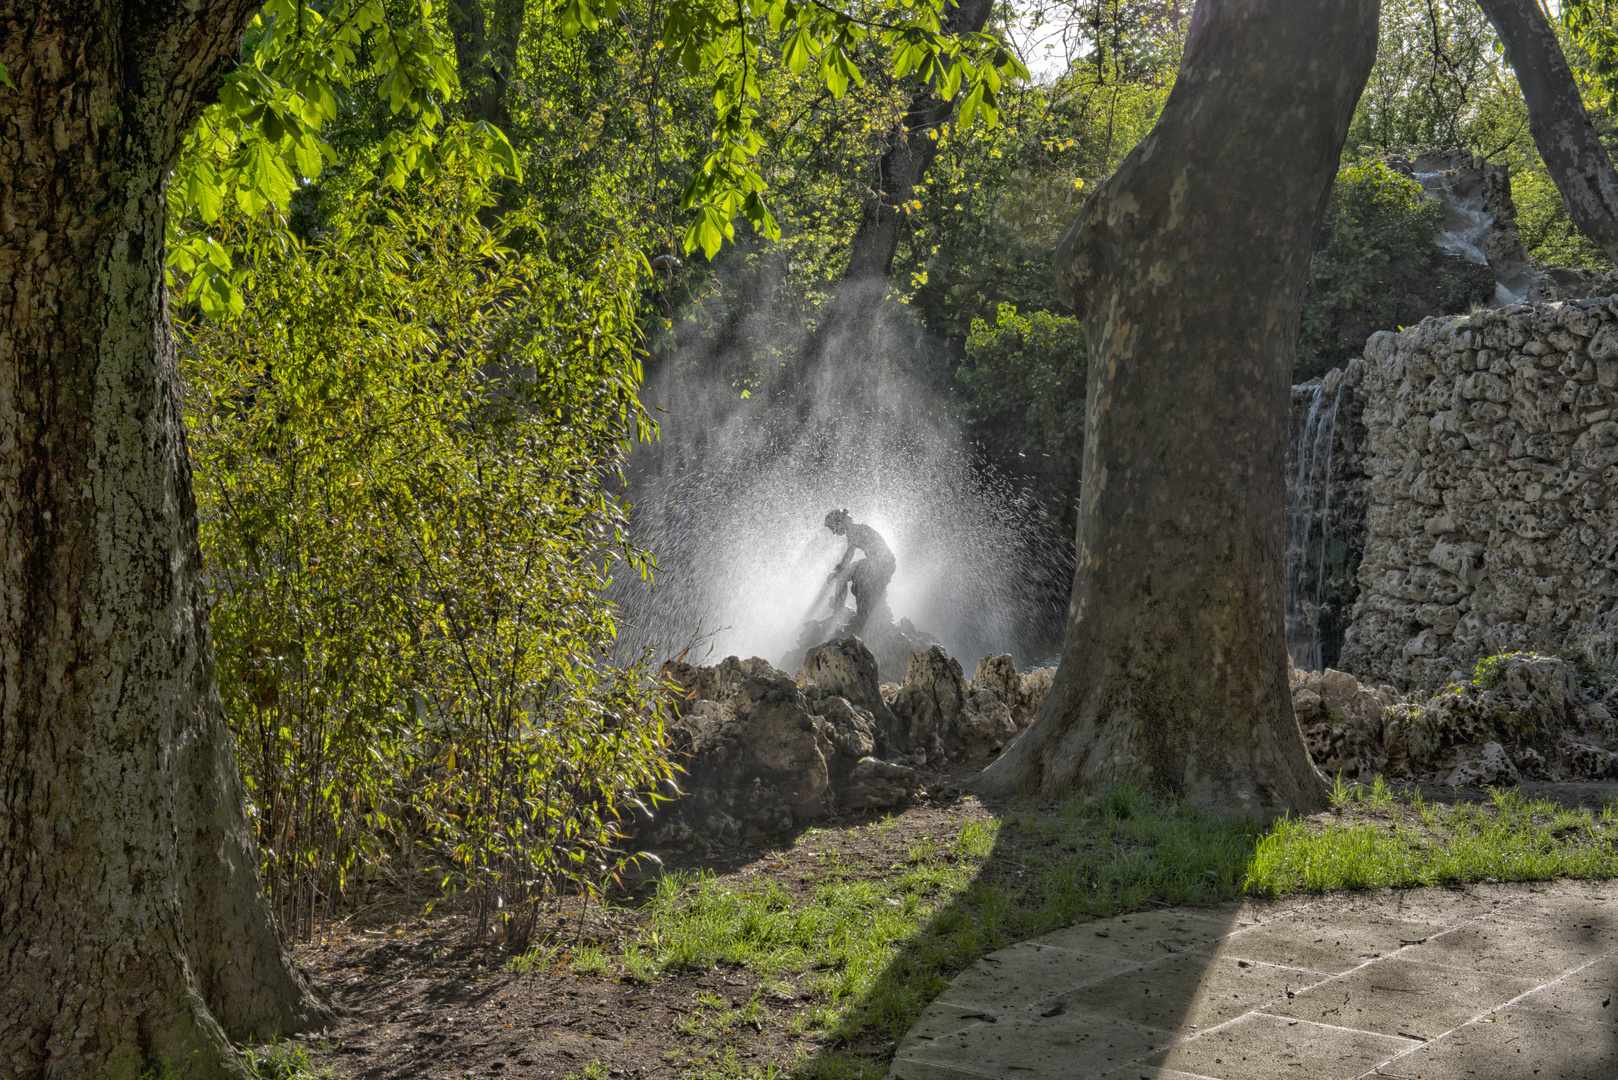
{"x": 1488, "y": 984}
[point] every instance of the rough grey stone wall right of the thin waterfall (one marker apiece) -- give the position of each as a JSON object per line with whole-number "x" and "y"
{"x": 1491, "y": 462}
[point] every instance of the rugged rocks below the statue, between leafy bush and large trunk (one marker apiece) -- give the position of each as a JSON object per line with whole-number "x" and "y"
{"x": 765, "y": 754}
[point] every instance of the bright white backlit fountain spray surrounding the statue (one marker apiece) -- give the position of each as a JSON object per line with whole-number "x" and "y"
{"x": 734, "y": 506}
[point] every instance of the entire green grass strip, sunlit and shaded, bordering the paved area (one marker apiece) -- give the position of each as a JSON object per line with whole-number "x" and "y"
{"x": 871, "y": 946}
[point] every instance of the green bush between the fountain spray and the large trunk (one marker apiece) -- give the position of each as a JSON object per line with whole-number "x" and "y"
{"x": 1023, "y": 394}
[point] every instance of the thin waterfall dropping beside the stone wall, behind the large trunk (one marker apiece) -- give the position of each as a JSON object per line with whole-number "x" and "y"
{"x": 1308, "y": 522}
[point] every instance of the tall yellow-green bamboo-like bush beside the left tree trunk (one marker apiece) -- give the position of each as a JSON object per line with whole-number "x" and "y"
{"x": 400, "y": 449}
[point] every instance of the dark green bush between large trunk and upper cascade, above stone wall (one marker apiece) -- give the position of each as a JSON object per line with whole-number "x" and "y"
{"x": 1378, "y": 268}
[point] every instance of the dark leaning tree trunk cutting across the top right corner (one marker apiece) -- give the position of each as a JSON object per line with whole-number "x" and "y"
{"x": 1556, "y": 116}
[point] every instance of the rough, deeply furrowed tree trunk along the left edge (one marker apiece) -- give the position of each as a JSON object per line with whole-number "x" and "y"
{"x": 133, "y": 933}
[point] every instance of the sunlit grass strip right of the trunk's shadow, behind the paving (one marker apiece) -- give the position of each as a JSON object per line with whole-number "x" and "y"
{"x": 1378, "y": 840}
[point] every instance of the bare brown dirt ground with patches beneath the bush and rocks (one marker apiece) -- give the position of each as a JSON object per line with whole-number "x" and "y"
{"x": 421, "y": 998}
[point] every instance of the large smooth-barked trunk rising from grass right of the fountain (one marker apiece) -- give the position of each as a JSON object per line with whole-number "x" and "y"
{"x": 1188, "y": 270}
